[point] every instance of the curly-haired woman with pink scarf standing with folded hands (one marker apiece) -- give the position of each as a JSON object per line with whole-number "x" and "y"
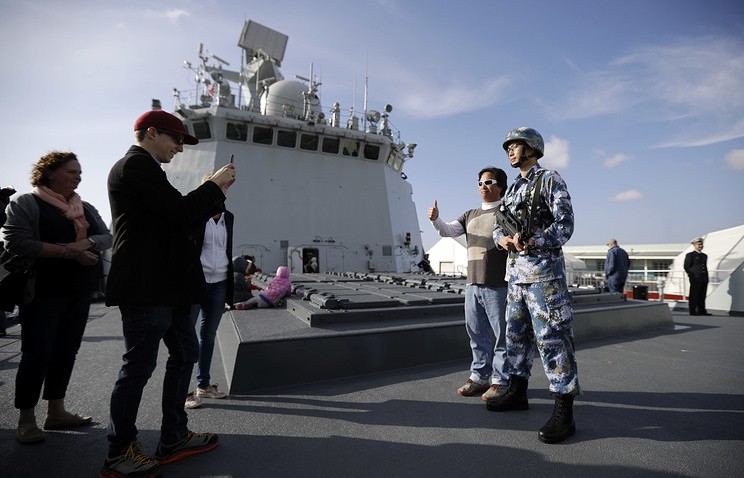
{"x": 65, "y": 236}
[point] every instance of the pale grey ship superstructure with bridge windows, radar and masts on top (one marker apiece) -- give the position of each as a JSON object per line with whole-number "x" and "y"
{"x": 316, "y": 192}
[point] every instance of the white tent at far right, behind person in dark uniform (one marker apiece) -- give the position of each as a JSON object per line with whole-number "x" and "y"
{"x": 725, "y": 250}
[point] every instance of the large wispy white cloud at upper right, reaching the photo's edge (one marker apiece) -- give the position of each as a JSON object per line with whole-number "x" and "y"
{"x": 692, "y": 85}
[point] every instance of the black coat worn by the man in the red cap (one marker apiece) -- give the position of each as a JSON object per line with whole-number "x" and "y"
{"x": 155, "y": 259}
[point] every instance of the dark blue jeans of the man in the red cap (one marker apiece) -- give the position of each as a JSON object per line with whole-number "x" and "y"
{"x": 144, "y": 327}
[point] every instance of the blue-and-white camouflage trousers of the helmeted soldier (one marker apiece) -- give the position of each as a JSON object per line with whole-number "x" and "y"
{"x": 539, "y": 316}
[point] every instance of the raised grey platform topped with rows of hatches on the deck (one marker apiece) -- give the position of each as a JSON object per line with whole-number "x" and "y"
{"x": 345, "y": 325}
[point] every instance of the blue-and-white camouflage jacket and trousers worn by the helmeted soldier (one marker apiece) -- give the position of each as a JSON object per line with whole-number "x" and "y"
{"x": 539, "y": 312}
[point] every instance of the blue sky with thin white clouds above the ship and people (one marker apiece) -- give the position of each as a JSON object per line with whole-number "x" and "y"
{"x": 641, "y": 103}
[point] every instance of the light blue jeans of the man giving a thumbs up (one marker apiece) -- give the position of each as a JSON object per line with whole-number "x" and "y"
{"x": 484, "y": 318}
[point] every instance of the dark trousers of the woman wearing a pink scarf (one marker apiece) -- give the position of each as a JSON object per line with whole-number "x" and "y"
{"x": 53, "y": 328}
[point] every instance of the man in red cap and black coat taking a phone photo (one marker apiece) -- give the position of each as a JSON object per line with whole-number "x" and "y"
{"x": 155, "y": 276}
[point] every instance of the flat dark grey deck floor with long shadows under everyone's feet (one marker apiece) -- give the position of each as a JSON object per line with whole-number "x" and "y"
{"x": 659, "y": 404}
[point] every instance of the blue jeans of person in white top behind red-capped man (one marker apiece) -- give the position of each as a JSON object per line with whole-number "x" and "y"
{"x": 212, "y": 308}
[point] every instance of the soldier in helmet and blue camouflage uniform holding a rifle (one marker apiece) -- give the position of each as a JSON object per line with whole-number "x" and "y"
{"x": 539, "y": 312}
